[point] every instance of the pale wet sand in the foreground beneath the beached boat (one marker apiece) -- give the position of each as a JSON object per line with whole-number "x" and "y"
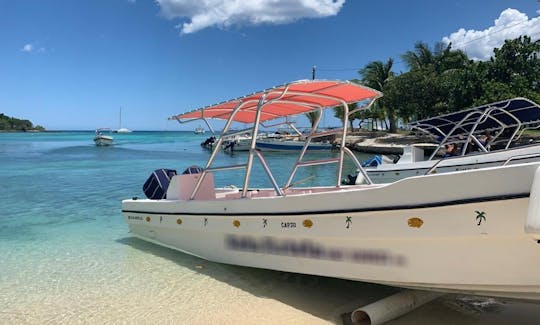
{"x": 155, "y": 285}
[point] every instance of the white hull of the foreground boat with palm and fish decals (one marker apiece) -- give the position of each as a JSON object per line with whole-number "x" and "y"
{"x": 473, "y": 232}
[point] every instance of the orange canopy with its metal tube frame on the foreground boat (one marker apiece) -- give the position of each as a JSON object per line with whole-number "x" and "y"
{"x": 294, "y": 98}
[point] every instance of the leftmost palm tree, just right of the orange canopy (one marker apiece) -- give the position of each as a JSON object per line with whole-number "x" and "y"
{"x": 376, "y": 75}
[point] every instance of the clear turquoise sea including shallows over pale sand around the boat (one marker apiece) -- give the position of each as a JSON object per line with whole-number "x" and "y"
{"x": 66, "y": 255}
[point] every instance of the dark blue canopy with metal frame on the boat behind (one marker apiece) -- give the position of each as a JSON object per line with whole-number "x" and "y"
{"x": 512, "y": 116}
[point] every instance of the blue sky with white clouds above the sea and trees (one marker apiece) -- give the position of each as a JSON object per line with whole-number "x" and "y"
{"x": 71, "y": 65}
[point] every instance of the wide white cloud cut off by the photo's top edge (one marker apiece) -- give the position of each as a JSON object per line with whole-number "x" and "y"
{"x": 224, "y": 13}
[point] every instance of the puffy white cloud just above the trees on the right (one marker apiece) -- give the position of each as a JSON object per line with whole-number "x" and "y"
{"x": 479, "y": 44}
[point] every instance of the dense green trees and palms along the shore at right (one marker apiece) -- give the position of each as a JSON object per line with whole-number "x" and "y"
{"x": 442, "y": 80}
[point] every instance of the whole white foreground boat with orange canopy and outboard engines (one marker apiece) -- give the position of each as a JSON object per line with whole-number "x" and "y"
{"x": 473, "y": 232}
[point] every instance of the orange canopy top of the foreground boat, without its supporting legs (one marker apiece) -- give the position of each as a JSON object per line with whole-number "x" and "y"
{"x": 294, "y": 98}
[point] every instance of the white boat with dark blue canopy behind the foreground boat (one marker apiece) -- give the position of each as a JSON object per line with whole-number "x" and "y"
{"x": 483, "y": 136}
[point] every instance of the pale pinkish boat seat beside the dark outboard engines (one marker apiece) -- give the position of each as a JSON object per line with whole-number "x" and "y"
{"x": 182, "y": 186}
